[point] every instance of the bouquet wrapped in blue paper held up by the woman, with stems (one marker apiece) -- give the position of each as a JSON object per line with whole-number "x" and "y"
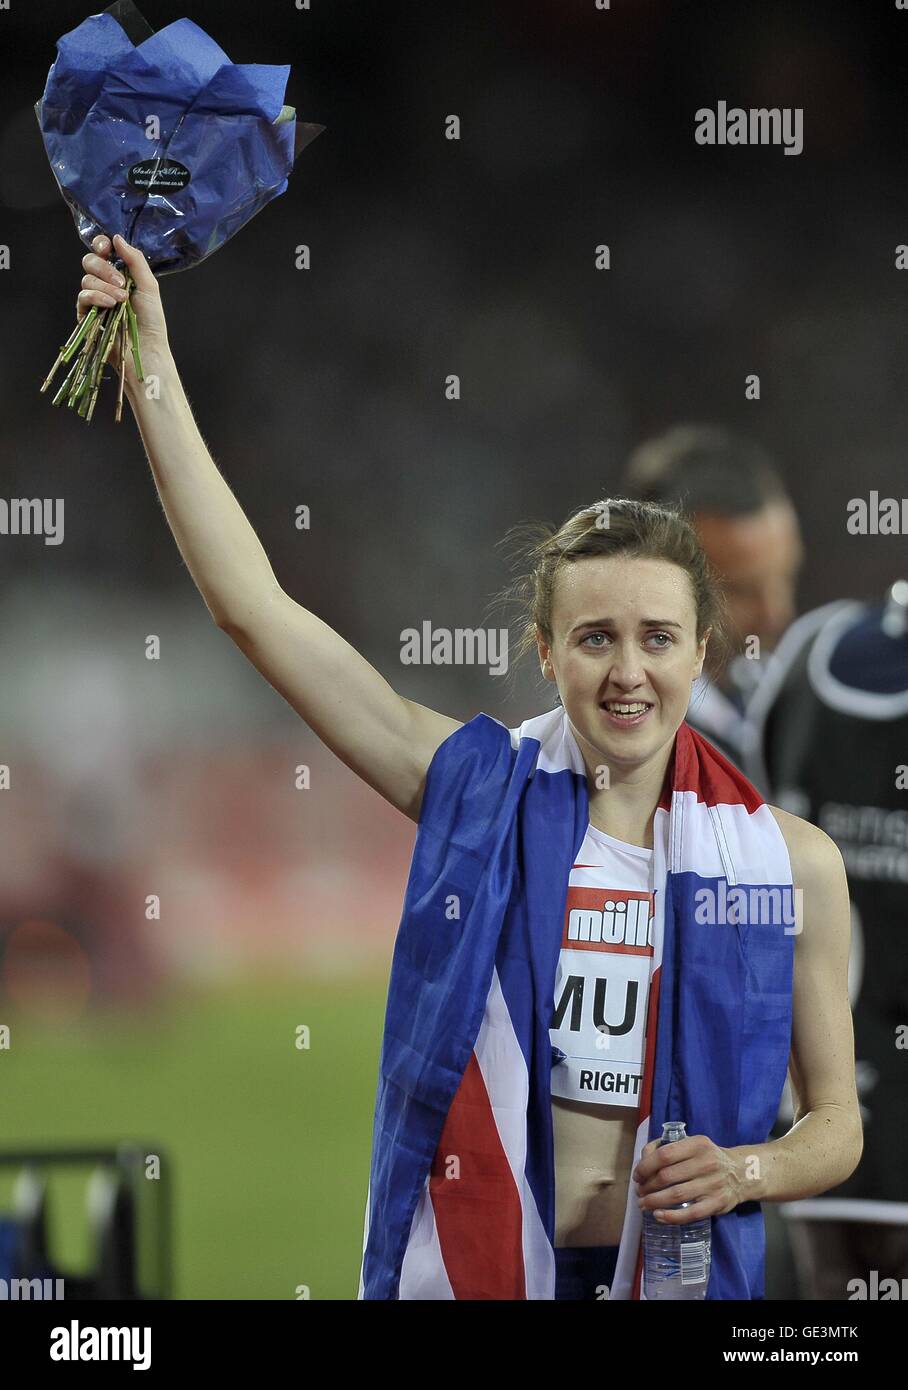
{"x": 158, "y": 137}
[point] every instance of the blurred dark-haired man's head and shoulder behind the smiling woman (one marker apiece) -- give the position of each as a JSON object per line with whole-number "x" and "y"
{"x": 750, "y": 532}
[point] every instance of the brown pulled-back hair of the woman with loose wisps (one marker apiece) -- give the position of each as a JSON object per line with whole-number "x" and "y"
{"x": 614, "y": 526}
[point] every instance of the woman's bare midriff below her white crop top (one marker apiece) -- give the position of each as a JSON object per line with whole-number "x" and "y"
{"x": 594, "y": 1154}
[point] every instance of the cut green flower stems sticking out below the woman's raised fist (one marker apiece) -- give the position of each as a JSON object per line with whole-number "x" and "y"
{"x": 88, "y": 348}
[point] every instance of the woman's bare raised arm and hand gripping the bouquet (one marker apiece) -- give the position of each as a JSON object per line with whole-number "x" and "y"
{"x": 383, "y": 737}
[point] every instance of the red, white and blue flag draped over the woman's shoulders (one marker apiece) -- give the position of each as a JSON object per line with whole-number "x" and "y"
{"x": 462, "y": 1185}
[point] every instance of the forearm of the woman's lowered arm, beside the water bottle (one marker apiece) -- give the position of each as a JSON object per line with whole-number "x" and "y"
{"x": 818, "y": 1153}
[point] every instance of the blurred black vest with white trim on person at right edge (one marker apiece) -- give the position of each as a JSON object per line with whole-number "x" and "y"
{"x": 829, "y": 737}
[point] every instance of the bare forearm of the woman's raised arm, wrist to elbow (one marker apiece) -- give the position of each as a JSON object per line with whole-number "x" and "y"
{"x": 212, "y": 532}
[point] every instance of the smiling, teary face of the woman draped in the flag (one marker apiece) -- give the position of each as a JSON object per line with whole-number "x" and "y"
{"x": 624, "y": 633}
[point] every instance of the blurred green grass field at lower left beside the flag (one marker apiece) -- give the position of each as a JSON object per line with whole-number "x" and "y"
{"x": 269, "y": 1143}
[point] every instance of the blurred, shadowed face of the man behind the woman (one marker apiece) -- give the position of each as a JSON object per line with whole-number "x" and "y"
{"x": 759, "y": 559}
